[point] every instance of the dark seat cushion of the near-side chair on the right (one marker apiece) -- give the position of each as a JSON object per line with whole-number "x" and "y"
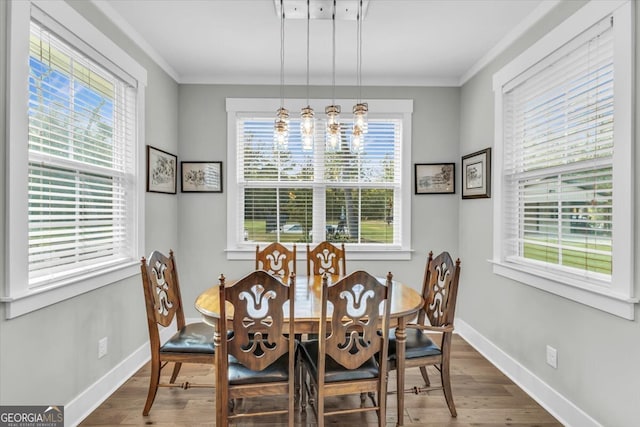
{"x": 334, "y": 371}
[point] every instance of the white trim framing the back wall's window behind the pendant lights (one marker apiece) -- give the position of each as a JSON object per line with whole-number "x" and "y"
{"x": 361, "y": 252}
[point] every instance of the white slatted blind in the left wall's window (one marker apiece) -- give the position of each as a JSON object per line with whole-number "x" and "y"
{"x": 81, "y": 142}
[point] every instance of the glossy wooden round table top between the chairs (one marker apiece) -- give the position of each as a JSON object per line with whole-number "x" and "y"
{"x": 404, "y": 301}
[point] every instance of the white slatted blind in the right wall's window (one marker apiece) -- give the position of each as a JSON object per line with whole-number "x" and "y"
{"x": 558, "y": 158}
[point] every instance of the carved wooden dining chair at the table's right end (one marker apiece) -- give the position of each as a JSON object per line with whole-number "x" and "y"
{"x": 439, "y": 291}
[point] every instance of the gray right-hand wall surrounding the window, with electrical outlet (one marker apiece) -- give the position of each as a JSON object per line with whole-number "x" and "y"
{"x": 598, "y": 353}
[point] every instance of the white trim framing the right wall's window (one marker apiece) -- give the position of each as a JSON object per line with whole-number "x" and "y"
{"x": 618, "y": 298}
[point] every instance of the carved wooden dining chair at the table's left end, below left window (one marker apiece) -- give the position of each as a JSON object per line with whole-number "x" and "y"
{"x": 191, "y": 343}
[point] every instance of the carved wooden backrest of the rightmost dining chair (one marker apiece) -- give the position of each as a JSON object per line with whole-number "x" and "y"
{"x": 440, "y": 290}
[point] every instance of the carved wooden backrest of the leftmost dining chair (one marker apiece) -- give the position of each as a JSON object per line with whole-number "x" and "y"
{"x": 161, "y": 291}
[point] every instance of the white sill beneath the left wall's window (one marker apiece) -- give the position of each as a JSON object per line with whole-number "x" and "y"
{"x": 17, "y": 305}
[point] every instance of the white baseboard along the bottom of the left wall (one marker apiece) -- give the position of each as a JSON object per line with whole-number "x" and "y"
{"x": 86, "y": 402}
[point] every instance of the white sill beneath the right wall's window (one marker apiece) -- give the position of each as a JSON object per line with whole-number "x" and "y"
{"x": 601, "y": 299}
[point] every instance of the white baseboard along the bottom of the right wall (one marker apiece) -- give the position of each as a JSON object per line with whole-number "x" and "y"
{"x": 556, "y": 404}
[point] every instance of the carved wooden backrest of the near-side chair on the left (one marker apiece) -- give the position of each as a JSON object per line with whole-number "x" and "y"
{"x": 259, "y": 334}
